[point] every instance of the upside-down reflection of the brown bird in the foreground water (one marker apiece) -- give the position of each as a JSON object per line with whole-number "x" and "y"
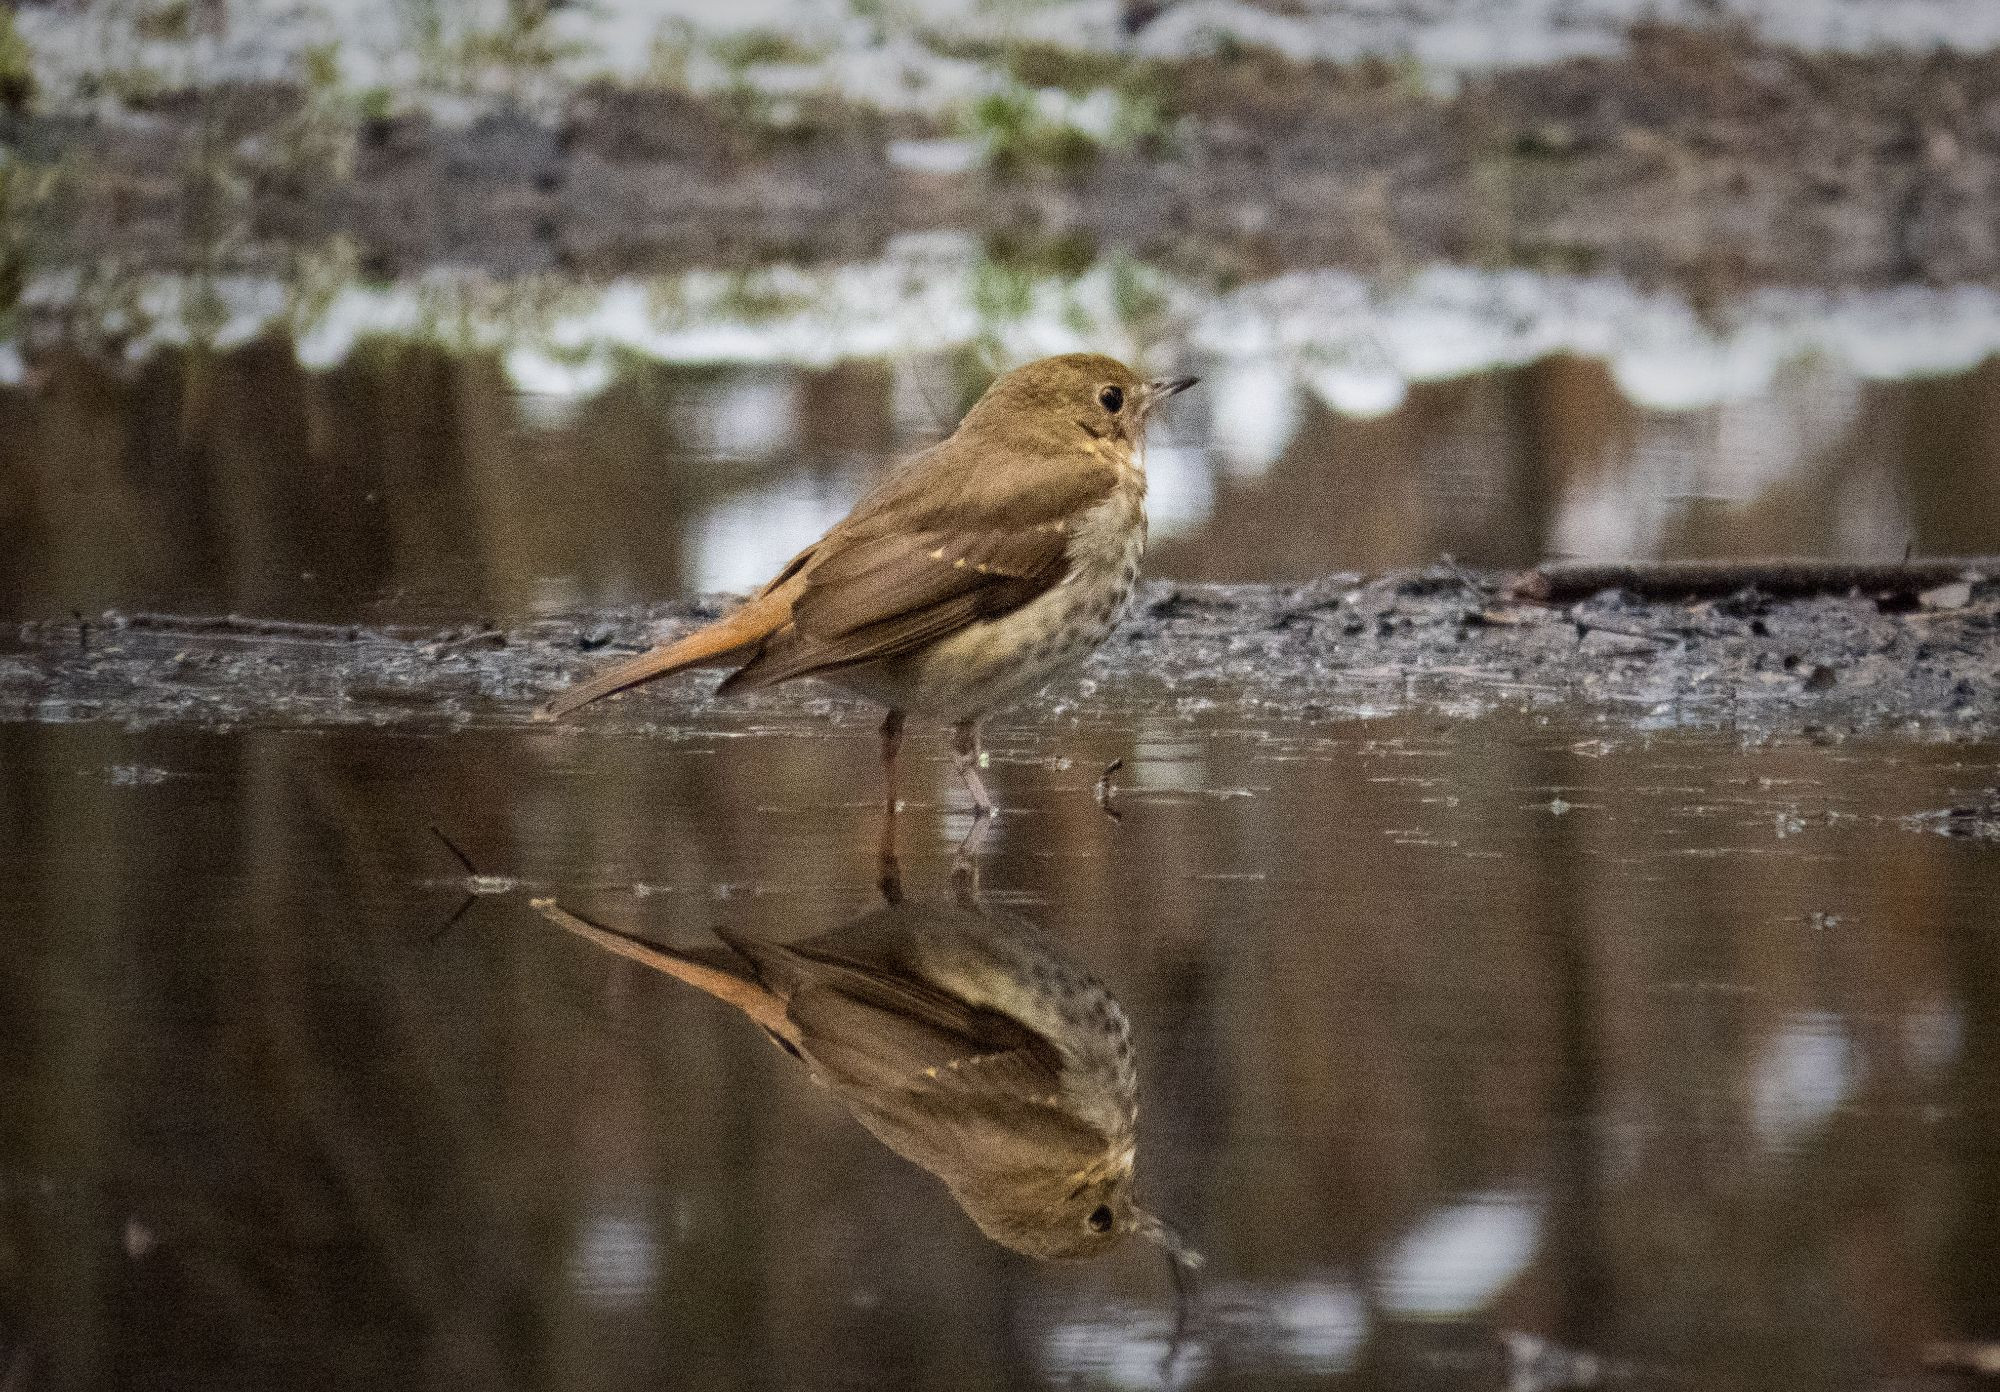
{"x": 965, "y": 1041}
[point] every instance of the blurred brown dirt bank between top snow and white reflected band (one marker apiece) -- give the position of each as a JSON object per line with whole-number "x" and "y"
{"x": 1701, "y": 157}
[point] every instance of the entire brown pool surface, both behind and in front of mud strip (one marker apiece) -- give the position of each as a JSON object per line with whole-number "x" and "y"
{"x": 1511, "y": 1051}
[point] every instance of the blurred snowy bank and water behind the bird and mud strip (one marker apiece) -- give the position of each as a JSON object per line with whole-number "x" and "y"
{"x": 409, "y": 309}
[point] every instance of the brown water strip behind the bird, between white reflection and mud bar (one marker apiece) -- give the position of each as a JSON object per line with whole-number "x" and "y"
{"x": 417, "y": 483}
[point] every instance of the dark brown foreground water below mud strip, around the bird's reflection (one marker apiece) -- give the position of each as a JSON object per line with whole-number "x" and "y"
{"x": 1465, "y": 1049}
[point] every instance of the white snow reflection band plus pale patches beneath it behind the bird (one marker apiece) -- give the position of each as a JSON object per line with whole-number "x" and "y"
{"x": 1735, "y": 403}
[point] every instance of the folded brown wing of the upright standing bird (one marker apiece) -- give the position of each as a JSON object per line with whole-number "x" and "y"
{"x": 935, "y": 551}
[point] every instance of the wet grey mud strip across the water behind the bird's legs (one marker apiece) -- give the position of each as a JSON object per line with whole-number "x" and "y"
{"x": 1343, "y": 647}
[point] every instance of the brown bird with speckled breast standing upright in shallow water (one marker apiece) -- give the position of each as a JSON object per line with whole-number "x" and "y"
{"x": 969, "y": 577}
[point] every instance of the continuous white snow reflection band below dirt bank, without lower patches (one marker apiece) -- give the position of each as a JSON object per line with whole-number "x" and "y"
{"x": 1359, "y": 345}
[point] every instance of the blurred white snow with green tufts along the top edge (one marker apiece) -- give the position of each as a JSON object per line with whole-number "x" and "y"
{"x": 449, "y": 57}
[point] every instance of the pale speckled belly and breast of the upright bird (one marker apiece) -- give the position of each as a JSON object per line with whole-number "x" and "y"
{"x": 989, "y": 665}
